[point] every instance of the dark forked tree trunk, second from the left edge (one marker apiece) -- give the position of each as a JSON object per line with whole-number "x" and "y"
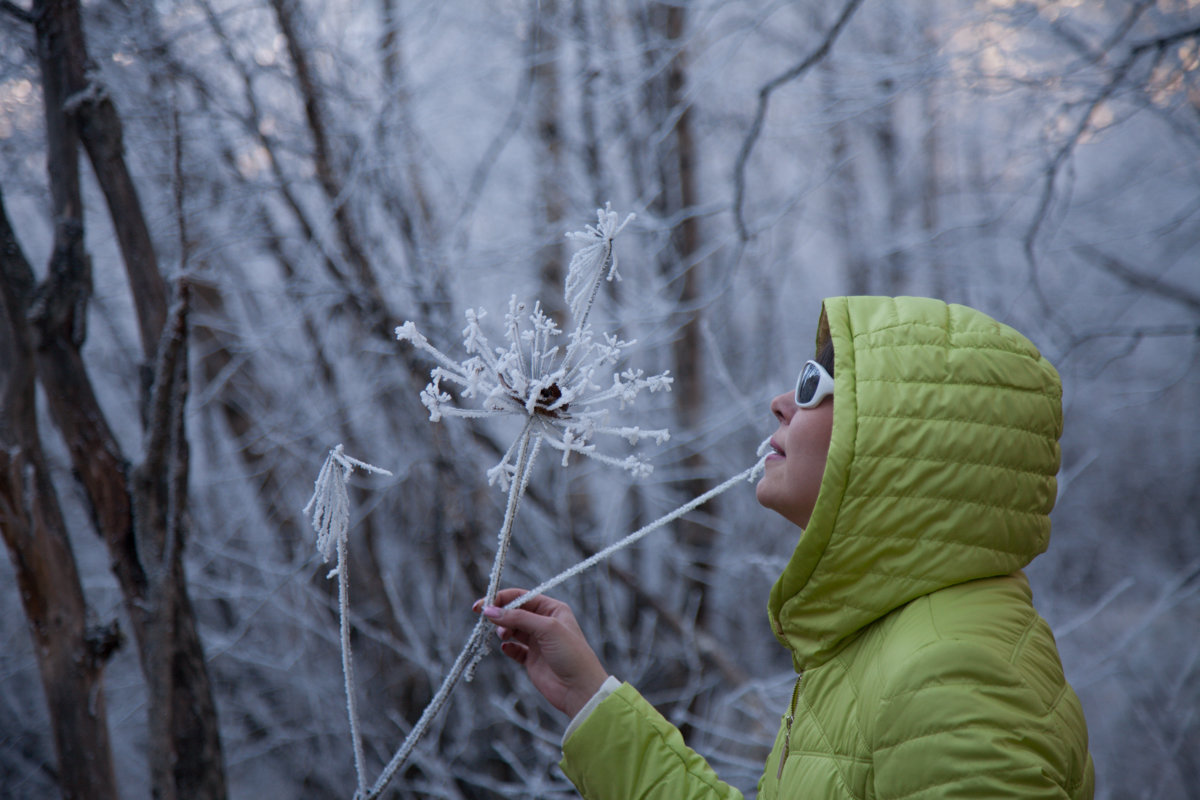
{"x": 185, "y": 750}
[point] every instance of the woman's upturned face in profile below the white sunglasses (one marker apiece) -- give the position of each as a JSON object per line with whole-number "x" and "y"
{"x": 793, "y": 478}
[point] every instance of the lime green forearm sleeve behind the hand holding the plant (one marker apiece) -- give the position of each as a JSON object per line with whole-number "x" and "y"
{"x": 626, "y": 750}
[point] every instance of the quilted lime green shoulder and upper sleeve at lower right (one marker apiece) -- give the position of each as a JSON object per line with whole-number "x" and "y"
{"x": 959, "y": 721}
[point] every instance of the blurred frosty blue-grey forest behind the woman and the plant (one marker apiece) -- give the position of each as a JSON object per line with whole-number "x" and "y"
{"x": 217, "y": 212}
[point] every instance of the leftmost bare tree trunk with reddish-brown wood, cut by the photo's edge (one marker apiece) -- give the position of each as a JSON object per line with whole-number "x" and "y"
{"x": 70, "y": 657}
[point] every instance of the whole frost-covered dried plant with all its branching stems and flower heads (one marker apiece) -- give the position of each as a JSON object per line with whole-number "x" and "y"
{"x": 561, "y": 392}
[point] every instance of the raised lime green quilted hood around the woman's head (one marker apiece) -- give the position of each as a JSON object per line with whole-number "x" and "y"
{"x": 941, "y": 467}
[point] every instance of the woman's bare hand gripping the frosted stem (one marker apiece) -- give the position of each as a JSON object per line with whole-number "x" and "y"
{"x": 545, "y": 639}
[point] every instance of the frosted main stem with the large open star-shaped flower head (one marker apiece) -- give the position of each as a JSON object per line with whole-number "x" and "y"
{"x": 554, "y": 389}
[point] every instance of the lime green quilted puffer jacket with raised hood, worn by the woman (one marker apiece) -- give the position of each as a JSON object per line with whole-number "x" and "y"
{"x": 925, "y": 670}
